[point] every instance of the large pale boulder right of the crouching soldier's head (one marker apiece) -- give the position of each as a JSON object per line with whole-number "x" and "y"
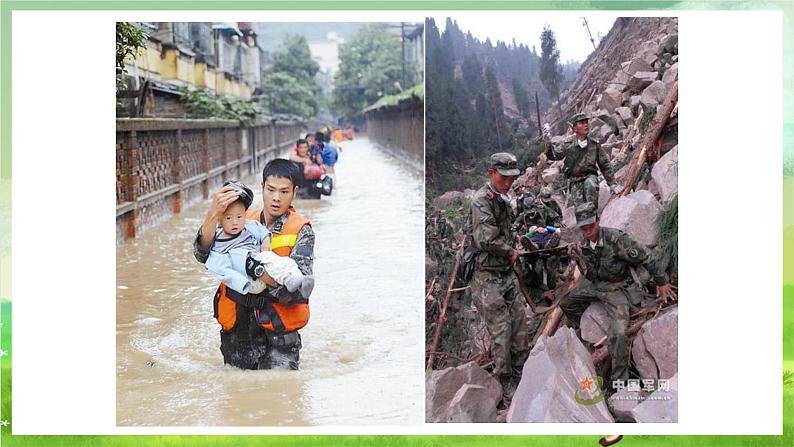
{"x": 635, "y": 214}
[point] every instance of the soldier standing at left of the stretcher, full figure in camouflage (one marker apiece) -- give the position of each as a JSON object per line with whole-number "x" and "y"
{"x": 494, "y": 285}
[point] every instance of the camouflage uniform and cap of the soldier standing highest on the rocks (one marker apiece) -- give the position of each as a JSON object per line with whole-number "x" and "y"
{"x": 581, "y": 167}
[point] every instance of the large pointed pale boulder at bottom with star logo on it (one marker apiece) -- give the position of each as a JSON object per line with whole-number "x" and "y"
{"x": 551, "y": 381}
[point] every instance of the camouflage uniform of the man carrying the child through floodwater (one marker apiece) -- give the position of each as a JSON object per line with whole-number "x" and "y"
{"x": 248, "y": 346}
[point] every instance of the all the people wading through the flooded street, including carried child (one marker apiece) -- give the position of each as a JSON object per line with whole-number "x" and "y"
{"x": 263, "y": 257}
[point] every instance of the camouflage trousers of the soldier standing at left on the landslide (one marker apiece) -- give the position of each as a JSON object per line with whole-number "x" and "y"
{"x": 504, "y": 312}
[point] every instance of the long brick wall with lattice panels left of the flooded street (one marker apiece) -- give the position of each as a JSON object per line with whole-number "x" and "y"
{"x": 164, "y": 165}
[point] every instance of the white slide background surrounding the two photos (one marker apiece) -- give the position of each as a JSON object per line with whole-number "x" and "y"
{"x": 729, "y": 247}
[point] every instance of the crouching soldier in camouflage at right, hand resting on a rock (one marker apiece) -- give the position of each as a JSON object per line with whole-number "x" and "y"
{"x": 608, "y": 253}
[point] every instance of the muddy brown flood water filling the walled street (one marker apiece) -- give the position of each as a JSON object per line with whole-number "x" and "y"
{"x": 363, "y": 349}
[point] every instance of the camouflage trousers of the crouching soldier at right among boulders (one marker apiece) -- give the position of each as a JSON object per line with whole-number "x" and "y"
{"x": 616, "y": 298}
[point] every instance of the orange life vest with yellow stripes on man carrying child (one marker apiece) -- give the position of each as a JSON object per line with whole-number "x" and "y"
{"x": 280, "y": 318}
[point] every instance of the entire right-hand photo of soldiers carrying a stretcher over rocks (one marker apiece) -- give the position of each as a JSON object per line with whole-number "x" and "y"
{"x": 551, "y": 148}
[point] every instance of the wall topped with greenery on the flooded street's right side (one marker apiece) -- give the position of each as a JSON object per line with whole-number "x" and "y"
{"x": 399, "y": 128}
